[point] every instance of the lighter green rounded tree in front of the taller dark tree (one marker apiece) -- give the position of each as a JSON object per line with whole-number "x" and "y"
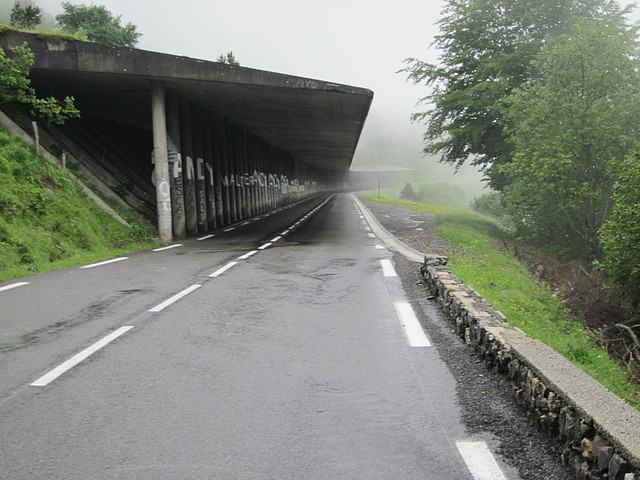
{"x": 566, "y": 126}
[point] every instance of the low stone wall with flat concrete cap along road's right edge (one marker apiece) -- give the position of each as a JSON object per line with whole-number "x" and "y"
{"x": 599, "y": 432}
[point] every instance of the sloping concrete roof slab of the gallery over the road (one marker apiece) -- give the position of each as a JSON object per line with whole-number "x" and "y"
{"x": 319, "y": 122}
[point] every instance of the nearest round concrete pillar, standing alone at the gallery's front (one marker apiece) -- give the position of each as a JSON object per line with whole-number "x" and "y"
{"x": 161, "y": 158}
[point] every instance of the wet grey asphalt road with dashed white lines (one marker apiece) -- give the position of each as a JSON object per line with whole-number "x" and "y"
{"x": 283, "y": 349}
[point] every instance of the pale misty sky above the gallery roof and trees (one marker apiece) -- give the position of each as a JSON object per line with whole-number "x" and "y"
{"x": 360, "y": 43}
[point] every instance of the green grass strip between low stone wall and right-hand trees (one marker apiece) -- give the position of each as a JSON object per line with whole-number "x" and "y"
{"x": 478, "y": 260}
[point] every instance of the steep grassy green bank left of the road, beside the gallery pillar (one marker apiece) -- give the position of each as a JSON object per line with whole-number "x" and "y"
{"x": 46, "y": 222}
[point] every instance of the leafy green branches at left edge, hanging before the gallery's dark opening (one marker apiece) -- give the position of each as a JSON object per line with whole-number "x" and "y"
{"x": 15, "y": 86}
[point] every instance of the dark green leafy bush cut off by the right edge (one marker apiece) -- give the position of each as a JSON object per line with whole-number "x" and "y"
{"x": 620, "y": 234}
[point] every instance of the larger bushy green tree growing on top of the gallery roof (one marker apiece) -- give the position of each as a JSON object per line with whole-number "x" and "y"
{"x": 98, "y": 24}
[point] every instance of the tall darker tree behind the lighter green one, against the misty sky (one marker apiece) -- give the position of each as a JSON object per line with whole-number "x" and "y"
{"x": 486, "y": 50}
